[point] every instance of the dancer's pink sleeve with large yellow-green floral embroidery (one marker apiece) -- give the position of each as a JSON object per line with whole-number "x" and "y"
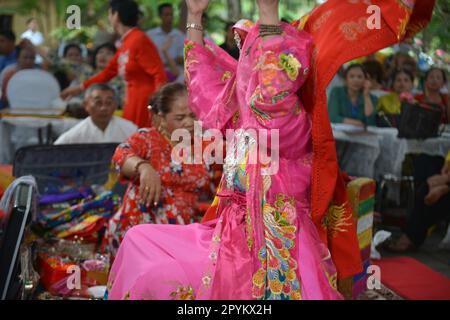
{"x": 280, "y": 66}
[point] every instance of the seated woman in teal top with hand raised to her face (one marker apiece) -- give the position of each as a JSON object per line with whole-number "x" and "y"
{"x": 353, "y": 104}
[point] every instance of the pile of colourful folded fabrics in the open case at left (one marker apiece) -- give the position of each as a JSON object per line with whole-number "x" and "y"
{"x": 68, "y": 233}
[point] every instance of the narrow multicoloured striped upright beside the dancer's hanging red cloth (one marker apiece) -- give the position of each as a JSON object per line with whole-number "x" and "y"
{"x": 361, "y": 193}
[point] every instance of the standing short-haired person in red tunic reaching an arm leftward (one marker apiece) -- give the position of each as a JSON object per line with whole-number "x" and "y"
{"x": 136, "y": 60}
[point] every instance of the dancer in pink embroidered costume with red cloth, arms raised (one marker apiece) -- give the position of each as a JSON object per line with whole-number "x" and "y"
{"x": 286, "y": 233}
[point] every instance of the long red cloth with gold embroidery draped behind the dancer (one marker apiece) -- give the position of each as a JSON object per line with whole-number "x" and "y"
{"x": 340, "y": 33}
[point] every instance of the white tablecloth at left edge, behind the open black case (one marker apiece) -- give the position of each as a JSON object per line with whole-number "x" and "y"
{"x": 18, "y": 131}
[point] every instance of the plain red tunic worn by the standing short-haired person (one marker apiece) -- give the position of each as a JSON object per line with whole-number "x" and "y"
{"x": 137, "y": 61}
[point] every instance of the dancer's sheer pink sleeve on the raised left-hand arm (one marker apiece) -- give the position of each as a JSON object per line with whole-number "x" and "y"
{"x": 210, "y": 77}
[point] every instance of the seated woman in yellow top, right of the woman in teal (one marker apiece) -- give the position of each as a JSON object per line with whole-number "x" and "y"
{"x": 402, "y": 83}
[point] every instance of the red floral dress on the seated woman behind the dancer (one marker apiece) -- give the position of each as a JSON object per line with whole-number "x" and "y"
{"x": 182, "y": 186}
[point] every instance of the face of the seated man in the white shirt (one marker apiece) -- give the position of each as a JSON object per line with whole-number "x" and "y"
{"x": 100, "y": 105}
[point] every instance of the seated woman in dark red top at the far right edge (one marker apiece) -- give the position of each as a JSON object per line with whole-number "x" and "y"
{"x": 435, "y": 81}
